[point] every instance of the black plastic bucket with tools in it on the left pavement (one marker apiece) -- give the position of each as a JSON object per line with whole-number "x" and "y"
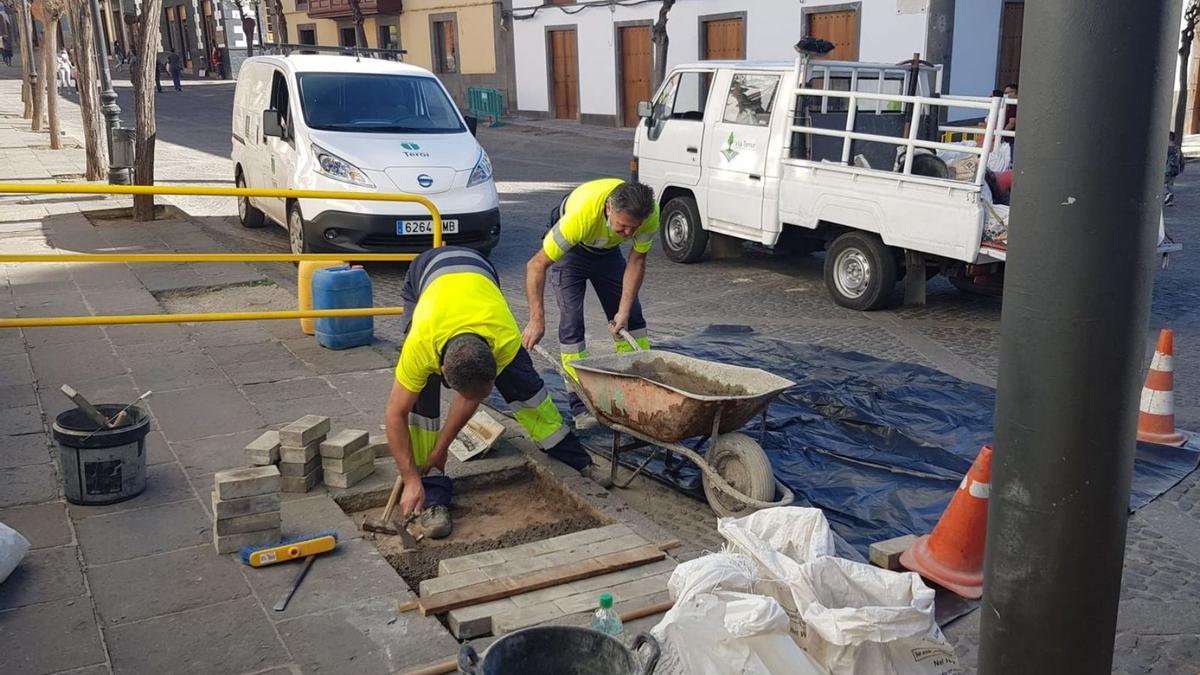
{"x": 105, "y": 467}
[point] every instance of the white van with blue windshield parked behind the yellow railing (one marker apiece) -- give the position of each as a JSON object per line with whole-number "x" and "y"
{"x": 309, "y": 122}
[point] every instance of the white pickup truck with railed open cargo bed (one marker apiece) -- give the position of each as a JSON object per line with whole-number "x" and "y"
{"x": 829, "y": 154}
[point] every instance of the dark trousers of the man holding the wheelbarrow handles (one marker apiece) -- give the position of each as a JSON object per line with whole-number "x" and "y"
{"x": 605, "y": 270}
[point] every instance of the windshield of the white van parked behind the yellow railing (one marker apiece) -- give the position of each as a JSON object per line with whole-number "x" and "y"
{"x": 376, "y": 104}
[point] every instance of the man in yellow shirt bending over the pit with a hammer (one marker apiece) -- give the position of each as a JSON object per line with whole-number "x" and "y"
{"x": 460, "y": 331}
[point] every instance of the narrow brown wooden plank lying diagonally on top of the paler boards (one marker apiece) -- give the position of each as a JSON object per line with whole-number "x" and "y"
{"x": 509, "y": 587}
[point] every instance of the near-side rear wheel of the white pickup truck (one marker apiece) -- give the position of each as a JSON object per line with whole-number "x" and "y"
{"x": 861, "y": 272}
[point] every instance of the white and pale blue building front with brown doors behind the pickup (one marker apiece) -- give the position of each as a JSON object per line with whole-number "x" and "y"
{"x": 593, "y": 63}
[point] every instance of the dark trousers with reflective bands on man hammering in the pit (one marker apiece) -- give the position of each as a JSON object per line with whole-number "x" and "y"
{"x": 519, "y": 384}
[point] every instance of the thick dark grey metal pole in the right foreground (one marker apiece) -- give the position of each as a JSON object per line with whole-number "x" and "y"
{"x": 1087, "y": 204}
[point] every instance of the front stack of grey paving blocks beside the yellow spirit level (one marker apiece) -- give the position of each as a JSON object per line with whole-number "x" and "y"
{"x": 247, "y": 509}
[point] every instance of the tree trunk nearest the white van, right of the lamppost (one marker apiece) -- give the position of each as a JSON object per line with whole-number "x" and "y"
{"x": 147, "y": 133}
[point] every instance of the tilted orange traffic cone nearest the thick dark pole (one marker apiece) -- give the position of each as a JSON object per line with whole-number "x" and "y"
{"x": 953, "y": 555}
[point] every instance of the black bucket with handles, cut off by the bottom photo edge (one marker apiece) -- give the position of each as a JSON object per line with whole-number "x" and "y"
{"x": 560, "y": 650}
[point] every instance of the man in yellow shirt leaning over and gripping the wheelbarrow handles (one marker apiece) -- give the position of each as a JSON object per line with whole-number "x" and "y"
{"x": 584, "y": 244}
